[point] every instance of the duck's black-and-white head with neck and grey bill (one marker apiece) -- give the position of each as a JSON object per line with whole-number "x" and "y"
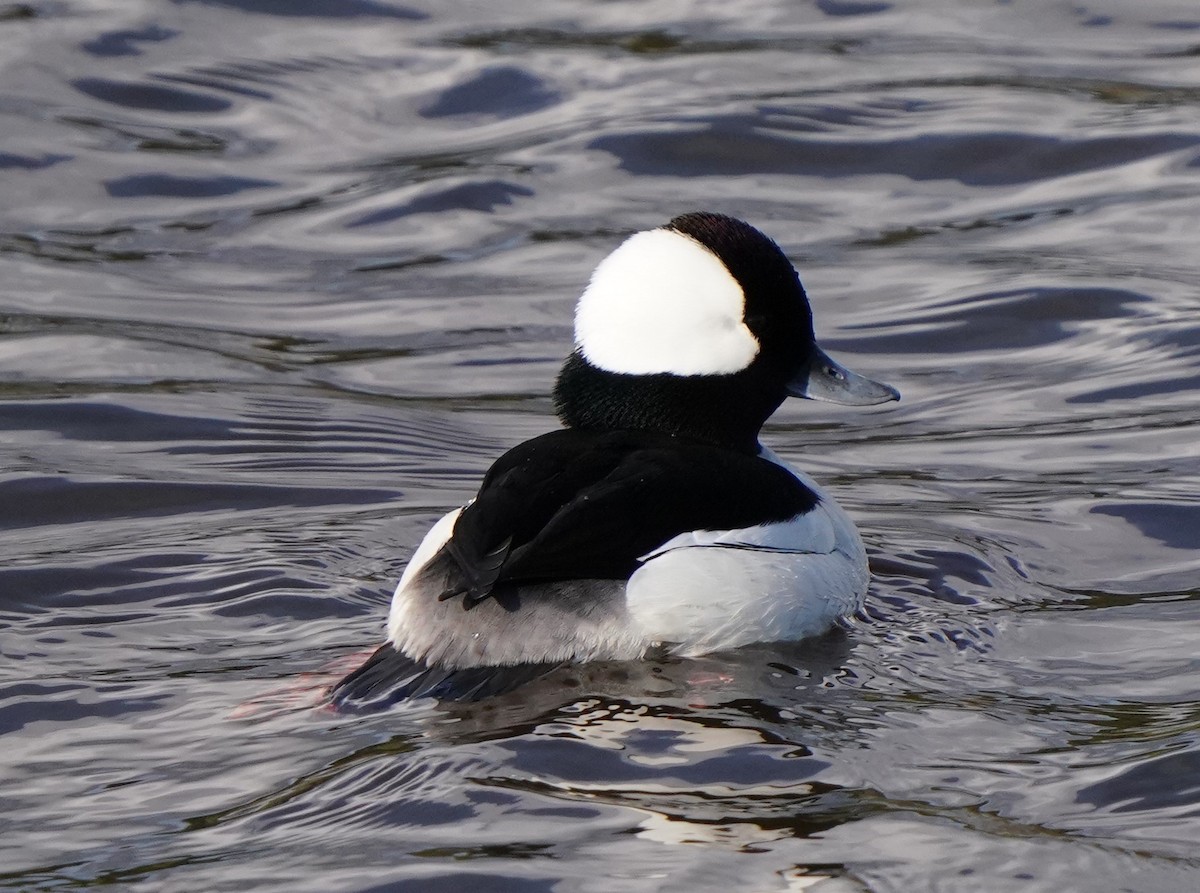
{"x": 700, "y": 329}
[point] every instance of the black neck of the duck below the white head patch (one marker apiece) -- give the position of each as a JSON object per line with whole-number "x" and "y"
{"x": 725, "y": 411}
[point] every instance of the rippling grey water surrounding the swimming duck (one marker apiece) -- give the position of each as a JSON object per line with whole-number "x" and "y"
{"x": 279, "y": 280}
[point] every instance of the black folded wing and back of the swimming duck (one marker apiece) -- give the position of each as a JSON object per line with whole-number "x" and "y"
{"x": 586, "y": 506}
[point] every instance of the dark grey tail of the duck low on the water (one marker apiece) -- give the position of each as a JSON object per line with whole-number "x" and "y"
{"x": 389, "y": 676}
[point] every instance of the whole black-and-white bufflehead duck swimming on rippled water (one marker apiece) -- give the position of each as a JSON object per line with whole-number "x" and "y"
{"x": 653, "y": 520}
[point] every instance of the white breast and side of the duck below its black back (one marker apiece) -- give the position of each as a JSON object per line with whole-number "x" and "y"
{"x": 709, "y": 592}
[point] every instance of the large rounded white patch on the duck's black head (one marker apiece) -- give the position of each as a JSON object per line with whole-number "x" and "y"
{"x": 663, "y": 303}
